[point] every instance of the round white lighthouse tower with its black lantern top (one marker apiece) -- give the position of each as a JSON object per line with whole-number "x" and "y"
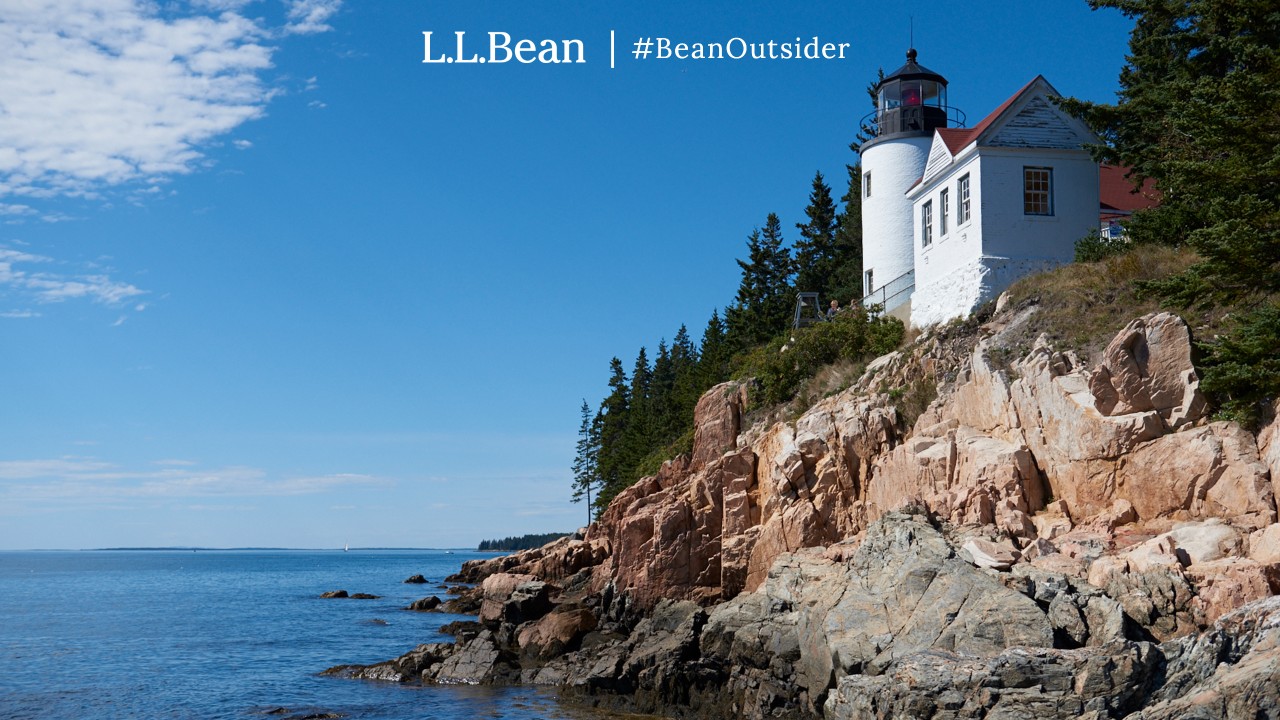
{"x": 911, "y": 104}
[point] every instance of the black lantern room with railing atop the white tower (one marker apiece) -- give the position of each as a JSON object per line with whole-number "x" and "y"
{"x": 913, "y": 101}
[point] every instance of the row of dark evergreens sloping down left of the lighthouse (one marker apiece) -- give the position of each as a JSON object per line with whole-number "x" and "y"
{"x": 648, "y": 414}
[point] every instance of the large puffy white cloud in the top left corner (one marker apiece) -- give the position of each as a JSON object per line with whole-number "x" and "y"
{"x": 100, "y": 93}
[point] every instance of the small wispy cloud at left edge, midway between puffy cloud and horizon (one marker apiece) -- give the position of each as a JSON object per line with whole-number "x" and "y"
{"x": 25, "y": 276}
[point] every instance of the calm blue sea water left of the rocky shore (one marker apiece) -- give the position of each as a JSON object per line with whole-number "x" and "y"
{"x": 173, "y": 635}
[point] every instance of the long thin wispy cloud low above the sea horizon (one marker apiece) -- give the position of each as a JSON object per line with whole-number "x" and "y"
{"x": 90, "y": 480}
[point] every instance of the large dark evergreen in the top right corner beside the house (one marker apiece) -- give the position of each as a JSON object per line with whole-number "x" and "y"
{"x": 1199, "y": 112}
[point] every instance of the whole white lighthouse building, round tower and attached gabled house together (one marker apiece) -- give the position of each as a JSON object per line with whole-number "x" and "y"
{"x": 953, "y": 216}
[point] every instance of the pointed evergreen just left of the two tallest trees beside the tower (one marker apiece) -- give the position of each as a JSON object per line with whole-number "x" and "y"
{"x": 765, "y": 295}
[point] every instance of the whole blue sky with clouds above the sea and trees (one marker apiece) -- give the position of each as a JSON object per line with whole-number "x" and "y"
{"x": 268, "y": 279}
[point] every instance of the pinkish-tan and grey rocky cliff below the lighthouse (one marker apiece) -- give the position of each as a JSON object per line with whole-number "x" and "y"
{"x": 1048, "y": 539}
